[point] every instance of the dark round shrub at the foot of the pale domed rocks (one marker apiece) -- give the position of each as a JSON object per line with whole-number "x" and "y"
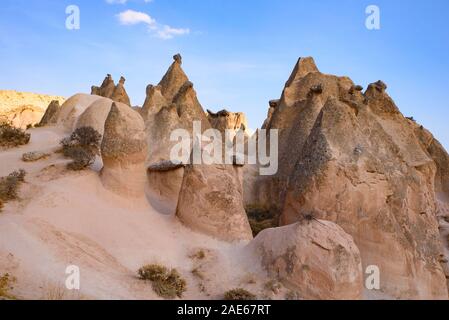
{"x": 82, "y": 146}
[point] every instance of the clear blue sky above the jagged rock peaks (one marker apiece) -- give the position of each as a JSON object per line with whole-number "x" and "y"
{"x": 238, "y": 53}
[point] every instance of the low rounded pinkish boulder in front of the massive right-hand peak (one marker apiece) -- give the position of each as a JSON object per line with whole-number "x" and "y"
{"x": 316, "y": 258}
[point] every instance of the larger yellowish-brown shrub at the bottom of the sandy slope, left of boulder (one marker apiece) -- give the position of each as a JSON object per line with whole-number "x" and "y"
{"x": 166, "y": 283}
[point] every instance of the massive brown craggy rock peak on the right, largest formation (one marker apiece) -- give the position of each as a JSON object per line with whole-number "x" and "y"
{"x": 352, "y": 158}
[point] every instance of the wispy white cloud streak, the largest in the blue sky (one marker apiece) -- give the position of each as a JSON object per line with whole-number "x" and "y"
{"x": 165, "y": 32}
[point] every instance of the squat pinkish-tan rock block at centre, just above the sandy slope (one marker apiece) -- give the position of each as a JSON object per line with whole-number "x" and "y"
{"x": 211, "y": 202}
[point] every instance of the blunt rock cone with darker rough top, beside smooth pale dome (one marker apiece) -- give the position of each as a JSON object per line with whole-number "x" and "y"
{"x": 124, "y": 150}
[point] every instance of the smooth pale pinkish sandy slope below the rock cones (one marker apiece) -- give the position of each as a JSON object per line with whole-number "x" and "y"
{"x": 66, "y": 218}
